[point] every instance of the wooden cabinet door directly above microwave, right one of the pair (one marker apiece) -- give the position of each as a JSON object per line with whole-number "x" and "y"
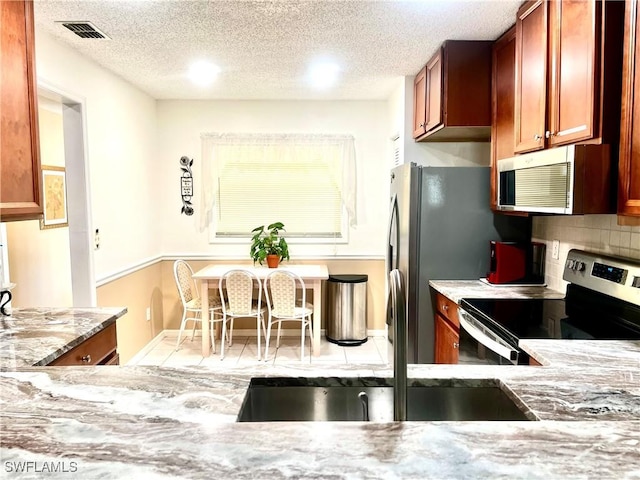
{"x": 574, "y": 36}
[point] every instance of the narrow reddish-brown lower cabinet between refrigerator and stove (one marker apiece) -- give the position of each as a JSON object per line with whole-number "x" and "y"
{"x": 447, "y": 330}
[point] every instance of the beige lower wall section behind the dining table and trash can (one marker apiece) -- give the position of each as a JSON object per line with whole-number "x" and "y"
{"x": 376, "y": 289}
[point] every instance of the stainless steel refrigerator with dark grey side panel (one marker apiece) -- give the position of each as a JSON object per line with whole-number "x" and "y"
{"x": 440, "y": 227}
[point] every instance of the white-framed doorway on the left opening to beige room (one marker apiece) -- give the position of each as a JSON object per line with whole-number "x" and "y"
{"x": 54, "y": 267}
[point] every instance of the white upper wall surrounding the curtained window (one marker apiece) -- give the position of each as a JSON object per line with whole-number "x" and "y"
{"x": 180, "y": 124}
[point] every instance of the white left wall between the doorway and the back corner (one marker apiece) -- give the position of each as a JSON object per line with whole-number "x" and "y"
{"x": 122, "y": 154}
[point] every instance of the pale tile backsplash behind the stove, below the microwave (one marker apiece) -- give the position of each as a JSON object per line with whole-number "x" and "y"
{"x": 594, "y": 233}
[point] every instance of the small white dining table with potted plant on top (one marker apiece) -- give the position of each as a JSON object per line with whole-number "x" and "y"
{"x": 312, "y": 275}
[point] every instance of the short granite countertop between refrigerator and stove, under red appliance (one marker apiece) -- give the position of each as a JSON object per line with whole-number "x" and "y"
{"x": 458, "y": 289}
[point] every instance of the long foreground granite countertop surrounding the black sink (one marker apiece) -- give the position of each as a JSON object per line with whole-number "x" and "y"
{"x": 156, "y": 423}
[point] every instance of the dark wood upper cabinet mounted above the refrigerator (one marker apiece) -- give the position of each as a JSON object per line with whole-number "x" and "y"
{"x": 456, "y": 103}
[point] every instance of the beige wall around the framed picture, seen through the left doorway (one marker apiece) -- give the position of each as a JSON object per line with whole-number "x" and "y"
{"x": 39, "y": 260}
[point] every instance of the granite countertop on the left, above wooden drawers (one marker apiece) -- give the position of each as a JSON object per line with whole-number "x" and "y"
{"x": 37, "y": 336}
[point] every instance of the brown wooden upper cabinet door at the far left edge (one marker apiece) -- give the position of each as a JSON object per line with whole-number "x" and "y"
{"x": 19, "y": 149}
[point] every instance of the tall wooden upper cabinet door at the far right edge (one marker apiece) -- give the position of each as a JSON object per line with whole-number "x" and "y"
{"x": 629, "y": 169}
